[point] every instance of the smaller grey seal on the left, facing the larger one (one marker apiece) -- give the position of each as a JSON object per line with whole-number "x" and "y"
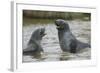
{"x": 33, "y": 46}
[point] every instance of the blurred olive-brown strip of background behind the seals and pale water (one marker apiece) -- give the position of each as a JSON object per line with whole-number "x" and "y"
{"x": 30, "y": 16}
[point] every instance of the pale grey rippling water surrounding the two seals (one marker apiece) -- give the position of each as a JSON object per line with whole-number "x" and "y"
{"x": 50, "y": 42}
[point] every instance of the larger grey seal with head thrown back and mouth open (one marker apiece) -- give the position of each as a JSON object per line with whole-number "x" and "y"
{"x": 67, "y": 40}
